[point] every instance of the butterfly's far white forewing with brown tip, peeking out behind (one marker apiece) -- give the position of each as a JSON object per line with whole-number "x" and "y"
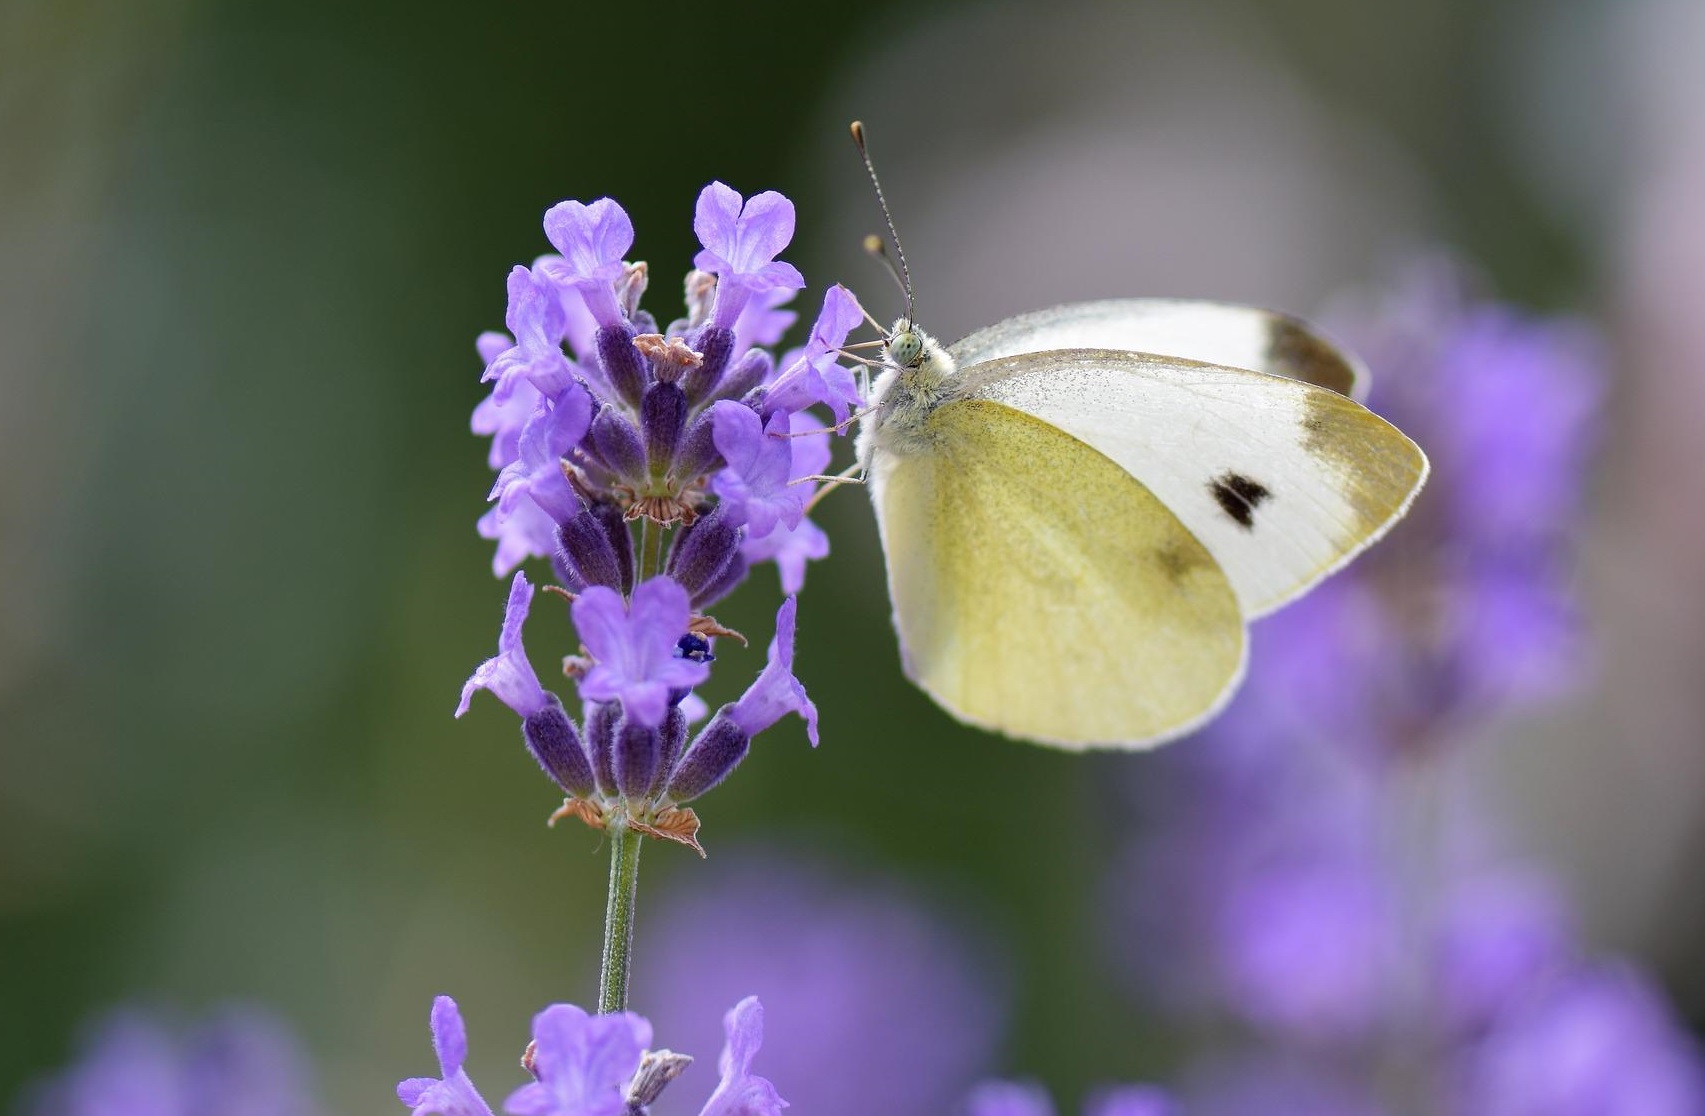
{"x": 1215, "y": 333}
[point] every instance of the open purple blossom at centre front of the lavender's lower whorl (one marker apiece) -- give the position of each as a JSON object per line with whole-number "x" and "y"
{"x": 635, "y": 648}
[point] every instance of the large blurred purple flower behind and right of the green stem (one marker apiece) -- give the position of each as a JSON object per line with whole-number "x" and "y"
{"x": 874, "y": 1006}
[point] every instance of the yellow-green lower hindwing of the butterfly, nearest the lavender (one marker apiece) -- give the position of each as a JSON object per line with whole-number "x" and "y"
{"x": 1041, "y": 590}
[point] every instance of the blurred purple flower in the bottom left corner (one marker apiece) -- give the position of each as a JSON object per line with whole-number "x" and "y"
{"x": 241, "y": 1062}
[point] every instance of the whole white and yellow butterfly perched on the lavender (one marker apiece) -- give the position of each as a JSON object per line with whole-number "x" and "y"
{"x": 1084, "y": 507}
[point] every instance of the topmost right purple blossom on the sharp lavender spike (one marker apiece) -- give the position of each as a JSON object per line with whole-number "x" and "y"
{"x": 741, "y": 244}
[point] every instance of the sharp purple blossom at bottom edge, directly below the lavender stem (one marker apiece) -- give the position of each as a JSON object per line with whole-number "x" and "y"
{"x": 582, "y": 1062}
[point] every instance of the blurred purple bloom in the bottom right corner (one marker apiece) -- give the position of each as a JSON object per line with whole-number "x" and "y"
{"x": 1602, "y": 1044}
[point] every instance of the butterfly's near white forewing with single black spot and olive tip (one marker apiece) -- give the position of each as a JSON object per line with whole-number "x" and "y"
{"x": 1281, "y": 481}
